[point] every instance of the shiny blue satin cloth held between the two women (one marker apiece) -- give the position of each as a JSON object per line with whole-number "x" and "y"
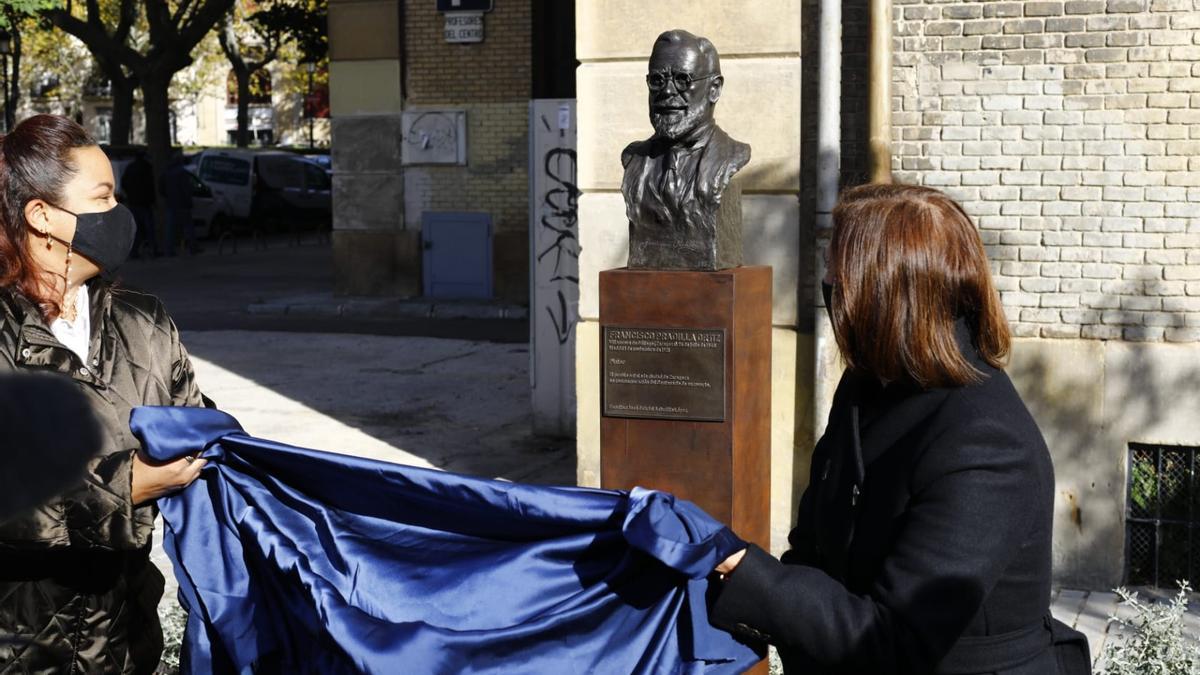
{"x": 292, "y": 560}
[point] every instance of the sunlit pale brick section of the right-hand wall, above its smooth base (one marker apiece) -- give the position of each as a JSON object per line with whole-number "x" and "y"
{"x": 1071, "y": 133}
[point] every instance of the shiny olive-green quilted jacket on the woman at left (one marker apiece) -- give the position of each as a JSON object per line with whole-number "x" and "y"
{"x": 79, "y": 593}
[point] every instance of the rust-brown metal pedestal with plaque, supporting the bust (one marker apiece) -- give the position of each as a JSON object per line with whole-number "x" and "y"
{"x": 686, "y": 390}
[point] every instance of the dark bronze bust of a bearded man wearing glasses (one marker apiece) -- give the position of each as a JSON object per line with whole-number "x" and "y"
{"x": 683, "y": 211}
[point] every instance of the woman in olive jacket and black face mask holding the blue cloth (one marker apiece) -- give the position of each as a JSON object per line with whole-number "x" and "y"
{"x": 79, "y": 593}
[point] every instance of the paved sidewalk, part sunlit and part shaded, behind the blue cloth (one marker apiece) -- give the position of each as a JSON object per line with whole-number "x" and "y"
{"x": 455, "y": 405}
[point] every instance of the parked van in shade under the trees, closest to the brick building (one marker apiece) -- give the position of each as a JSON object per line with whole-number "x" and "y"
{"x": 269, "y": 188}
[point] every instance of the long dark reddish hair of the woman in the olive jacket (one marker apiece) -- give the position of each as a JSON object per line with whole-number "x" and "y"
{"x": 35, "y": 164}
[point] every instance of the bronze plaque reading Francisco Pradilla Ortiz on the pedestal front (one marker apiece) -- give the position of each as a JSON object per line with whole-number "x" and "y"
{"x": 664, "y": 373}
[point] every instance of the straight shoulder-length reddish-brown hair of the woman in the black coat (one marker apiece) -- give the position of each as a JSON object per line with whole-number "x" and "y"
{"x": 908, "y": 265}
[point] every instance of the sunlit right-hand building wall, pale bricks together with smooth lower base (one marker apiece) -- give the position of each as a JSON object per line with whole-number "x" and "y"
{"x": 1071, "y": 133}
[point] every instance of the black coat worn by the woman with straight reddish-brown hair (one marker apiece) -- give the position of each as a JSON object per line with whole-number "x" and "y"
{"x": 929, "y": 523}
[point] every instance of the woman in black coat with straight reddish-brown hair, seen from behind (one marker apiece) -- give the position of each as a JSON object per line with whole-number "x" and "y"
{"x": 923, "y": 540}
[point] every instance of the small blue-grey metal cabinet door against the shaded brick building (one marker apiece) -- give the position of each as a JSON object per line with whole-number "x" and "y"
{"x": 458, "y": 261}
